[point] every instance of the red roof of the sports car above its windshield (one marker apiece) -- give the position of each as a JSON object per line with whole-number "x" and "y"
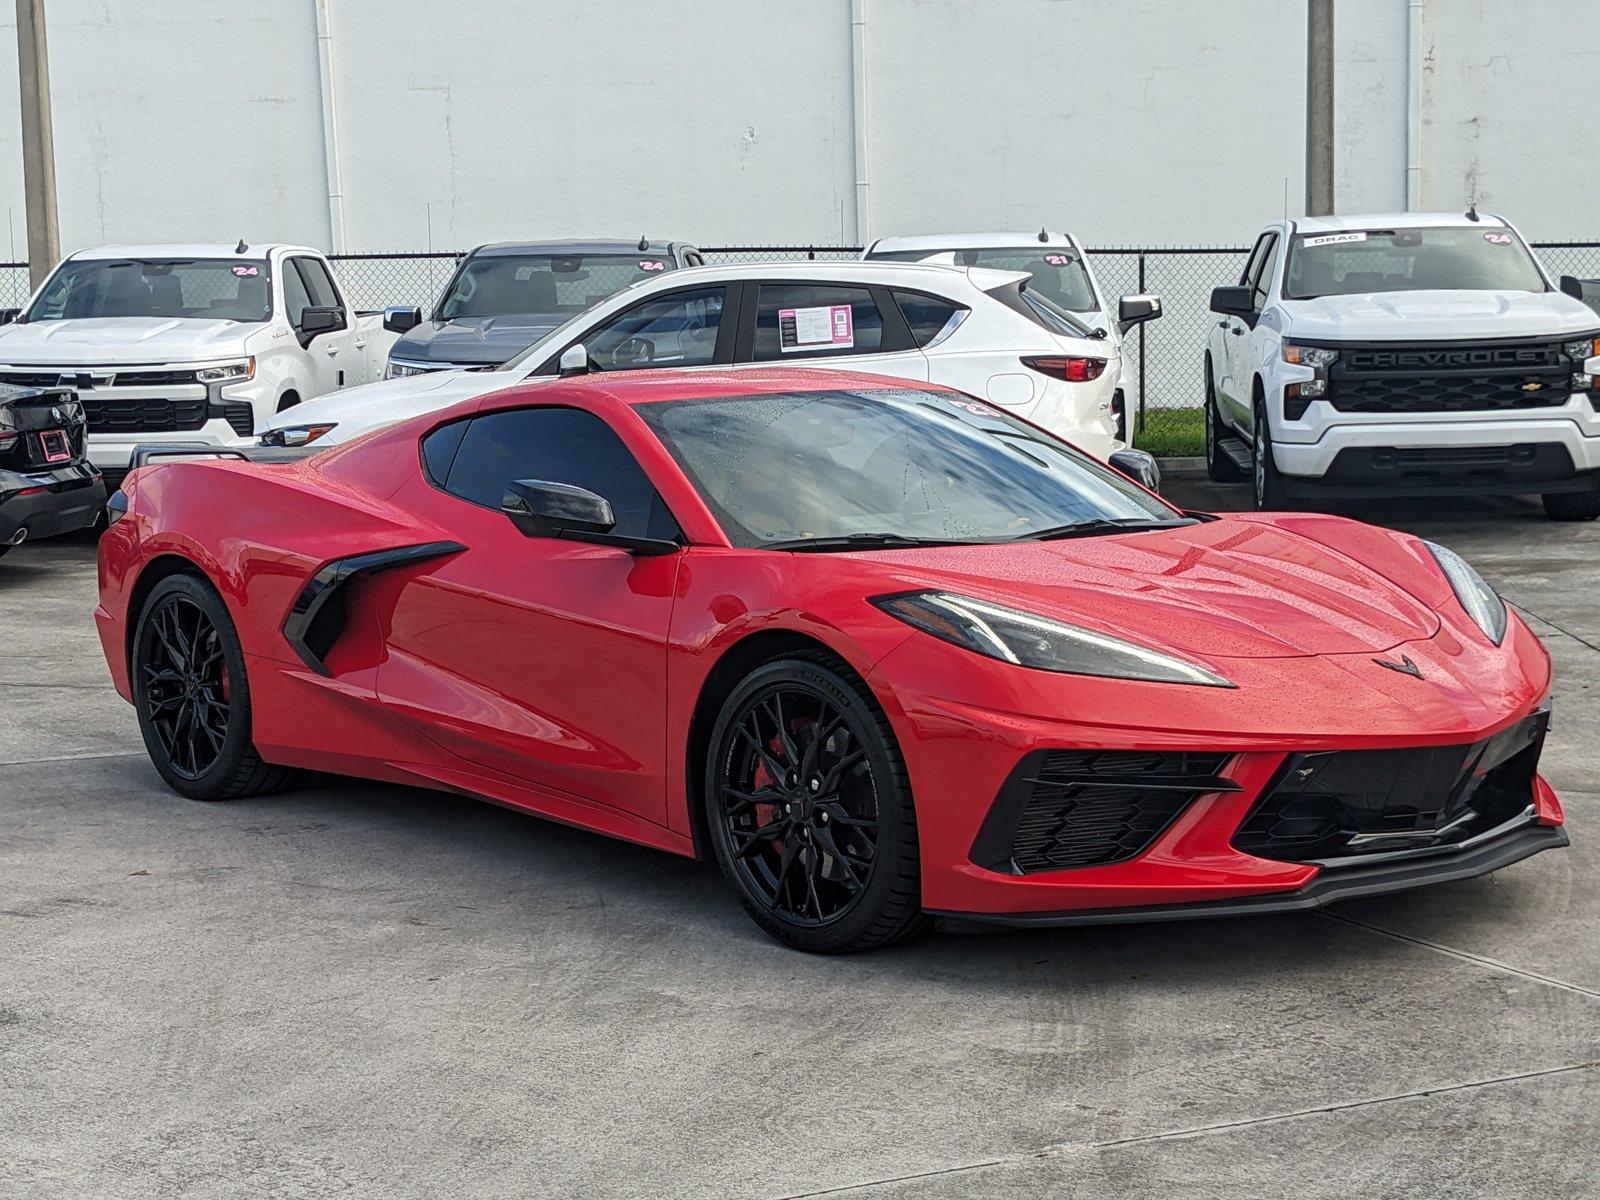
{"x": 662, "y": 386}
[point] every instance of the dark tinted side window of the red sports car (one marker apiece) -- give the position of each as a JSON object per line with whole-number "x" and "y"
{"x": 561, "y": 446}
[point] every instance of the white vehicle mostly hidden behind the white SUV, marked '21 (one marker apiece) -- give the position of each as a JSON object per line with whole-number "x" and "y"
{"x": 1058, "y": 270}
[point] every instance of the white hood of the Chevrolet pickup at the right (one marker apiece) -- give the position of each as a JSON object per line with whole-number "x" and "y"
{"x": 1446, "y": 316}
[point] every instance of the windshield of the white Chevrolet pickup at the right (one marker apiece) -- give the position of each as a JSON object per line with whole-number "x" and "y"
{"x": 1409, "y": 260}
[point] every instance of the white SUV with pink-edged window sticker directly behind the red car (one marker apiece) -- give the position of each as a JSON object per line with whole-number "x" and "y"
{"x": 982, "y": 332}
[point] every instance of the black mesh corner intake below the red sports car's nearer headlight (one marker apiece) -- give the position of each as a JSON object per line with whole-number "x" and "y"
{"x": 1087, "y": 809}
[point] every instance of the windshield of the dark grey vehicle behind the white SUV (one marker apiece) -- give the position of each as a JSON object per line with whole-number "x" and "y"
{"x": 558, "y": 286}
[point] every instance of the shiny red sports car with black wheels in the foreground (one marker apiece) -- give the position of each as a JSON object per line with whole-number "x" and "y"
{"x": 879, "y": 649}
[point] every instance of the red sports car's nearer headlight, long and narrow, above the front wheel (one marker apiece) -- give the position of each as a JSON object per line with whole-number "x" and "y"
{"x": 1028, "y": 641}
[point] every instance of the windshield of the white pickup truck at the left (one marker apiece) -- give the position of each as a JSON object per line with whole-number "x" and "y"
{"x": 233, "y": 290}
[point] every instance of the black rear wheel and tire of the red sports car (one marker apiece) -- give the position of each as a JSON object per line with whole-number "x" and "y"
{"x": 193, "y": 695}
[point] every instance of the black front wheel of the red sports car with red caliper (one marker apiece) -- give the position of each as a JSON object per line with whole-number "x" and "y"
{"x": 801, "y": 751}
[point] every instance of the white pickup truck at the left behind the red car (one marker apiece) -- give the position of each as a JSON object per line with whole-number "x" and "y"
{"x": 190, "y": 345}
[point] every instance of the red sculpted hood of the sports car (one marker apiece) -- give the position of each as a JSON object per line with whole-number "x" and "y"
{"x": 1212, "y": 591}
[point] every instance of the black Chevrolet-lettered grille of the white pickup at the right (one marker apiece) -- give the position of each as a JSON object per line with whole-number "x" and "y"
{"x": 1449, "y": 378}
